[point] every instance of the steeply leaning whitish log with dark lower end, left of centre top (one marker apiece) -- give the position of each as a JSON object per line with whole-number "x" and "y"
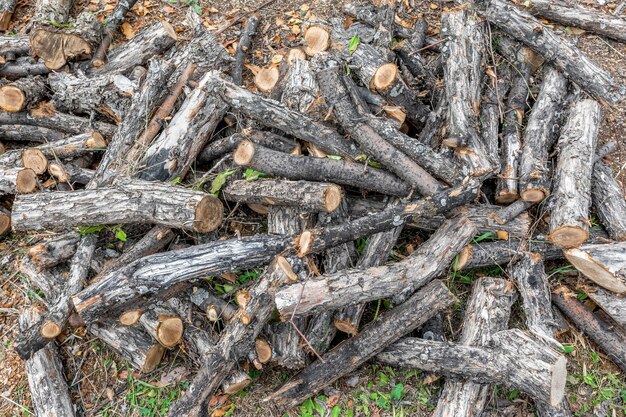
{"x": 174, "y": 150}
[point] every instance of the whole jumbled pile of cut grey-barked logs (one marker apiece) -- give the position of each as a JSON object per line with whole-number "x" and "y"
{"x": 478, "y": 147}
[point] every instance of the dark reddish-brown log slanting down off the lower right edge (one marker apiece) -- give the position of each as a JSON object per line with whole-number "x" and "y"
{"x": 606, "y": 333}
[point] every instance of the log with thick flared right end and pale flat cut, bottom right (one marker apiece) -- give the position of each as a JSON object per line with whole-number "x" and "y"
{"x": 510, "y": 358}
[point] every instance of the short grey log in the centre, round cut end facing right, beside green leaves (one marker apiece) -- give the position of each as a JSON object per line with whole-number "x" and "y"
{"x": 309, "y": 196}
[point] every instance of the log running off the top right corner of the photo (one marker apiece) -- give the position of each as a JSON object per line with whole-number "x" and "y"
{"x": 588, "y": 19}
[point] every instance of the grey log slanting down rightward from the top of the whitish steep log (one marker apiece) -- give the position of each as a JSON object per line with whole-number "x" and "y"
{"x": 274, "y": 114}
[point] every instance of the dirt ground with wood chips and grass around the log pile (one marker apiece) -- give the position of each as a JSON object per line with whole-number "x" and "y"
{"x": 102, "y": 385}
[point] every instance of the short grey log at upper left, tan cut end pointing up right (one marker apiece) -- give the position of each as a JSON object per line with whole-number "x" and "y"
{"x": 149, "y": 42}
